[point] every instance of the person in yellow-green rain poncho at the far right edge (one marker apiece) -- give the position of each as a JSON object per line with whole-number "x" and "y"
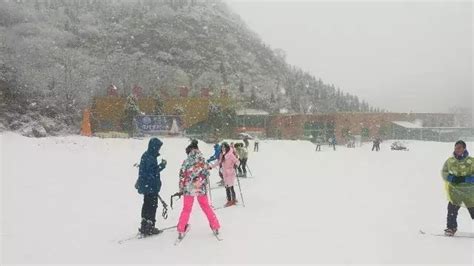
{"x": 458, "y": 174}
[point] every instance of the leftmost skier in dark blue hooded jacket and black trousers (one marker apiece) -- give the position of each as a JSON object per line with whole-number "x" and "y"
{"x": 149, "y": 185}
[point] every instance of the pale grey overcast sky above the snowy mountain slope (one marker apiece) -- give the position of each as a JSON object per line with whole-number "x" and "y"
{"x": 400, "y": 56}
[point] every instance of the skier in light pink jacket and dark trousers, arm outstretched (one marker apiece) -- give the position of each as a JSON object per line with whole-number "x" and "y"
{"x": 227, "y": 162}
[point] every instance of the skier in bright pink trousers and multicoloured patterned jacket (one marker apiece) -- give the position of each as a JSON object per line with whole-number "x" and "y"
{"x": 193, "y": 179}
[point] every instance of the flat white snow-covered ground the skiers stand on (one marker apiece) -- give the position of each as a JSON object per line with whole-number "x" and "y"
{"x": 70, "y": 199}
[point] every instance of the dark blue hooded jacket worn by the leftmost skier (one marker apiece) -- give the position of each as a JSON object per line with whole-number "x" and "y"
{"x": 149, "y": 181}
